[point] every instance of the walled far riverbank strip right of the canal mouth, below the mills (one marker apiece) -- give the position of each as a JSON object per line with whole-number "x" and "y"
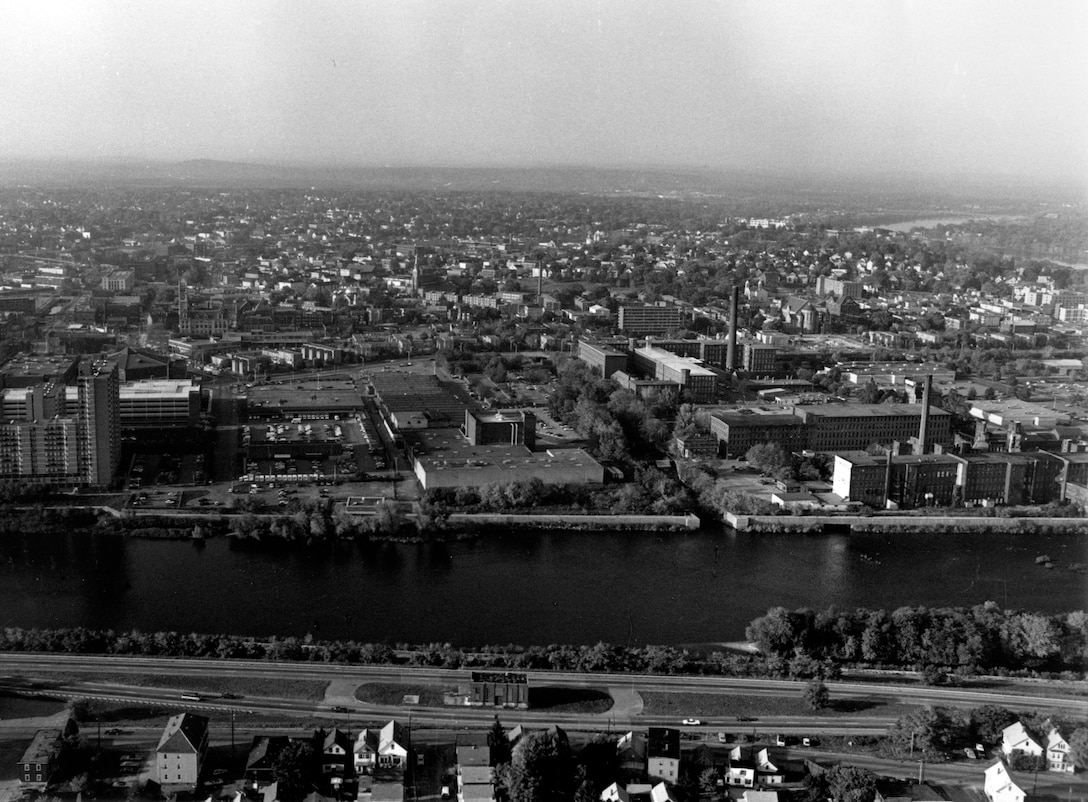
{"x": 902, "y": 525}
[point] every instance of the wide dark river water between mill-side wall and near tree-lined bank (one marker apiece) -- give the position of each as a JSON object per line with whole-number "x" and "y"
{"x": 534, "y": 589}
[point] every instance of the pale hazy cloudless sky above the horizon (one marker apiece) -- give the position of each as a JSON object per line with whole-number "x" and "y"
{"x": 994, "y": 87}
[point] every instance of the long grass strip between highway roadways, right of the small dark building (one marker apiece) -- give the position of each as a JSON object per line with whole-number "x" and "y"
{"x": 724, "y": 706}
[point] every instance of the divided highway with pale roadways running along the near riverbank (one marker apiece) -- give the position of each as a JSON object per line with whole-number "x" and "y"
{"x": 19, "y": 669}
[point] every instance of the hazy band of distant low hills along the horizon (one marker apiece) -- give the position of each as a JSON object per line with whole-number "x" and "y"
{"x": 898, "y": 190}
